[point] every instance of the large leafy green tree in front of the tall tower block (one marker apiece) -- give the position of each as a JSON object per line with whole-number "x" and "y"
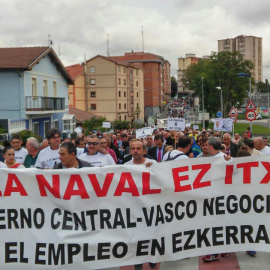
{"x": 220, "y": 71}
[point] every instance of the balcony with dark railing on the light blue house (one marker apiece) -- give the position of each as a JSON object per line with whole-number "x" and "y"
{"x": 44, "y": 104}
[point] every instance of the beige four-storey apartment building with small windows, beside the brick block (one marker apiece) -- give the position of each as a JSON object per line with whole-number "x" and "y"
{"x": 114, "y": 89}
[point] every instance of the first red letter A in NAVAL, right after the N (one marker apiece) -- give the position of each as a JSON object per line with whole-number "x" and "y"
{"x": 70, "y": 191}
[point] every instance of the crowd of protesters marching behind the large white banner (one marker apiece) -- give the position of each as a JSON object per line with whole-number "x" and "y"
{"x": 122, "y": 147}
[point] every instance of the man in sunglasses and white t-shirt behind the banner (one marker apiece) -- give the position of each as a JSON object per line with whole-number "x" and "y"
{"x": 96, "y": 155}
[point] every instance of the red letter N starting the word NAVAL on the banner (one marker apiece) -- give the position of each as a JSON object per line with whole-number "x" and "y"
{"x": 43, "y": 183}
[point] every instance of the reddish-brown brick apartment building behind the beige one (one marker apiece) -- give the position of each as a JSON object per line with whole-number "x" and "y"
{"x": 157, "y": 79}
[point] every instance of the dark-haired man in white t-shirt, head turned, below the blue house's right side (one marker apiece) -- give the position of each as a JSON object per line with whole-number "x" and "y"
{"x": 49, "y": 156}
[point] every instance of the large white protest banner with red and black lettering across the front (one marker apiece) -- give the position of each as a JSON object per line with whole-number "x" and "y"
{"x": 95, "y": 218}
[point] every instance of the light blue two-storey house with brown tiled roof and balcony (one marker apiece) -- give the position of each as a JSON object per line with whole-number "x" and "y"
{"x": 34, "y": 90}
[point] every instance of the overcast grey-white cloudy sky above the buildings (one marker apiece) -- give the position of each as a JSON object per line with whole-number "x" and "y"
{"x": 172, "y": 28}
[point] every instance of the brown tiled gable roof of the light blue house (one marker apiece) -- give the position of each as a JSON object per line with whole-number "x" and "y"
{"x": 27, "y": 57}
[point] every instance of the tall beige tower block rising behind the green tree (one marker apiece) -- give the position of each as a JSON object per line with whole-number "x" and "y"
{"x": 251, "y": 49}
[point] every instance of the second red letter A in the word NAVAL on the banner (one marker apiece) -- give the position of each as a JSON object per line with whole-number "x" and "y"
{"x": 126, "y": 178}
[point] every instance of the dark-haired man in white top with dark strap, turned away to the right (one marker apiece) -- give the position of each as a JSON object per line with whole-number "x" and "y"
{"x": 183, "y": 146}
